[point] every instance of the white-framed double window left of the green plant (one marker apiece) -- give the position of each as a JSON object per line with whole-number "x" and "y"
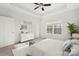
{"x": 54, "y": 28}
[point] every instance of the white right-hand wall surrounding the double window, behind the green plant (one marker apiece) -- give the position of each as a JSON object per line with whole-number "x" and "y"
{"x": 64, "y": 17}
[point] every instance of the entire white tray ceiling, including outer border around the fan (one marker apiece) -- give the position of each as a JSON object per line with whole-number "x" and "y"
{"x": 28, "y": 8}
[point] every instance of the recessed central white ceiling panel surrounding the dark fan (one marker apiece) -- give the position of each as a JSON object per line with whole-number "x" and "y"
{"x": 29, "y": 7}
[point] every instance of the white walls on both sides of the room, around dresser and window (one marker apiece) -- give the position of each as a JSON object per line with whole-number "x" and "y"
{"x": 39, "y": 23}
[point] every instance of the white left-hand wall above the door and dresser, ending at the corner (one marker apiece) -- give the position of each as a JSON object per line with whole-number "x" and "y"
{"x": 18, "y": 16}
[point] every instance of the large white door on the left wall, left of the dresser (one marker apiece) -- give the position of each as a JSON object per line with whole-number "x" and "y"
{"x": 7, "y": 31}
